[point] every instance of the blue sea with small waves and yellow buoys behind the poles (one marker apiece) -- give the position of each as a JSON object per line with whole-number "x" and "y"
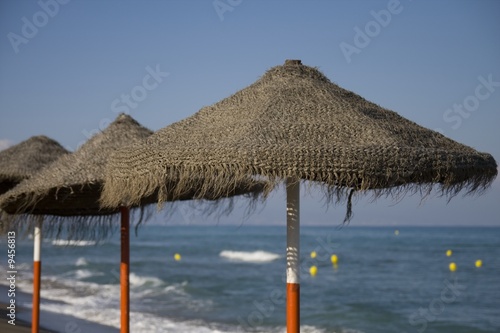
{"x": 223, "y": 278}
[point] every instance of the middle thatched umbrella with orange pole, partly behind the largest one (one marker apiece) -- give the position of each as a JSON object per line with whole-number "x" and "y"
{"x": 70, "y": 188}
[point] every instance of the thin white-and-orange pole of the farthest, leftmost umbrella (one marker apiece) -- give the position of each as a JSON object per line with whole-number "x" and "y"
{"x": 37, "y": 272}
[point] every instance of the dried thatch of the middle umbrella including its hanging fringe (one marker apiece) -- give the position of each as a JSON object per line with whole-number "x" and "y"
{"x": 67, "y": 191}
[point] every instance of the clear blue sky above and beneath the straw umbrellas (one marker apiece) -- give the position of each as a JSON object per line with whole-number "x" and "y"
{"x": 67, "y": 67}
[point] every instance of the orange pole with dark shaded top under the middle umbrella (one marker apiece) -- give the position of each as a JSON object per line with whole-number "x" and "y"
{"x": 124, "y": 269}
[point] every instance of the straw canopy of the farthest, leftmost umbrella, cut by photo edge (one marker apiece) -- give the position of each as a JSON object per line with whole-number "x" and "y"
{"x": 21, "y": 161}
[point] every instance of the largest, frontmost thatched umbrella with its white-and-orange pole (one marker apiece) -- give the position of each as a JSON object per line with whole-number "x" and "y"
{"x": 294, "y": 124}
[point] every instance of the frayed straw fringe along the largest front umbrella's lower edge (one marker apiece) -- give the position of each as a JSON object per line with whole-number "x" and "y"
{"x": 212, "y": 182}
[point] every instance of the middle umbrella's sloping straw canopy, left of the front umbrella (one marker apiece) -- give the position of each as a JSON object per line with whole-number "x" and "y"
{"x": 71, "y": 186}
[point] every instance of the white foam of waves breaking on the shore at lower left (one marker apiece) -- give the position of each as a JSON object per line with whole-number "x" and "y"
{"x": 101, "y": 304}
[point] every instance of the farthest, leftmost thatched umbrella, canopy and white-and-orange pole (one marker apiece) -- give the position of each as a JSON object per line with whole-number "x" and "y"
{"x": 20, "y": 162}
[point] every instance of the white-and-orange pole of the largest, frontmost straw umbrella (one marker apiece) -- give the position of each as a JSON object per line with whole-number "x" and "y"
{"x": 292, "y": 256}
